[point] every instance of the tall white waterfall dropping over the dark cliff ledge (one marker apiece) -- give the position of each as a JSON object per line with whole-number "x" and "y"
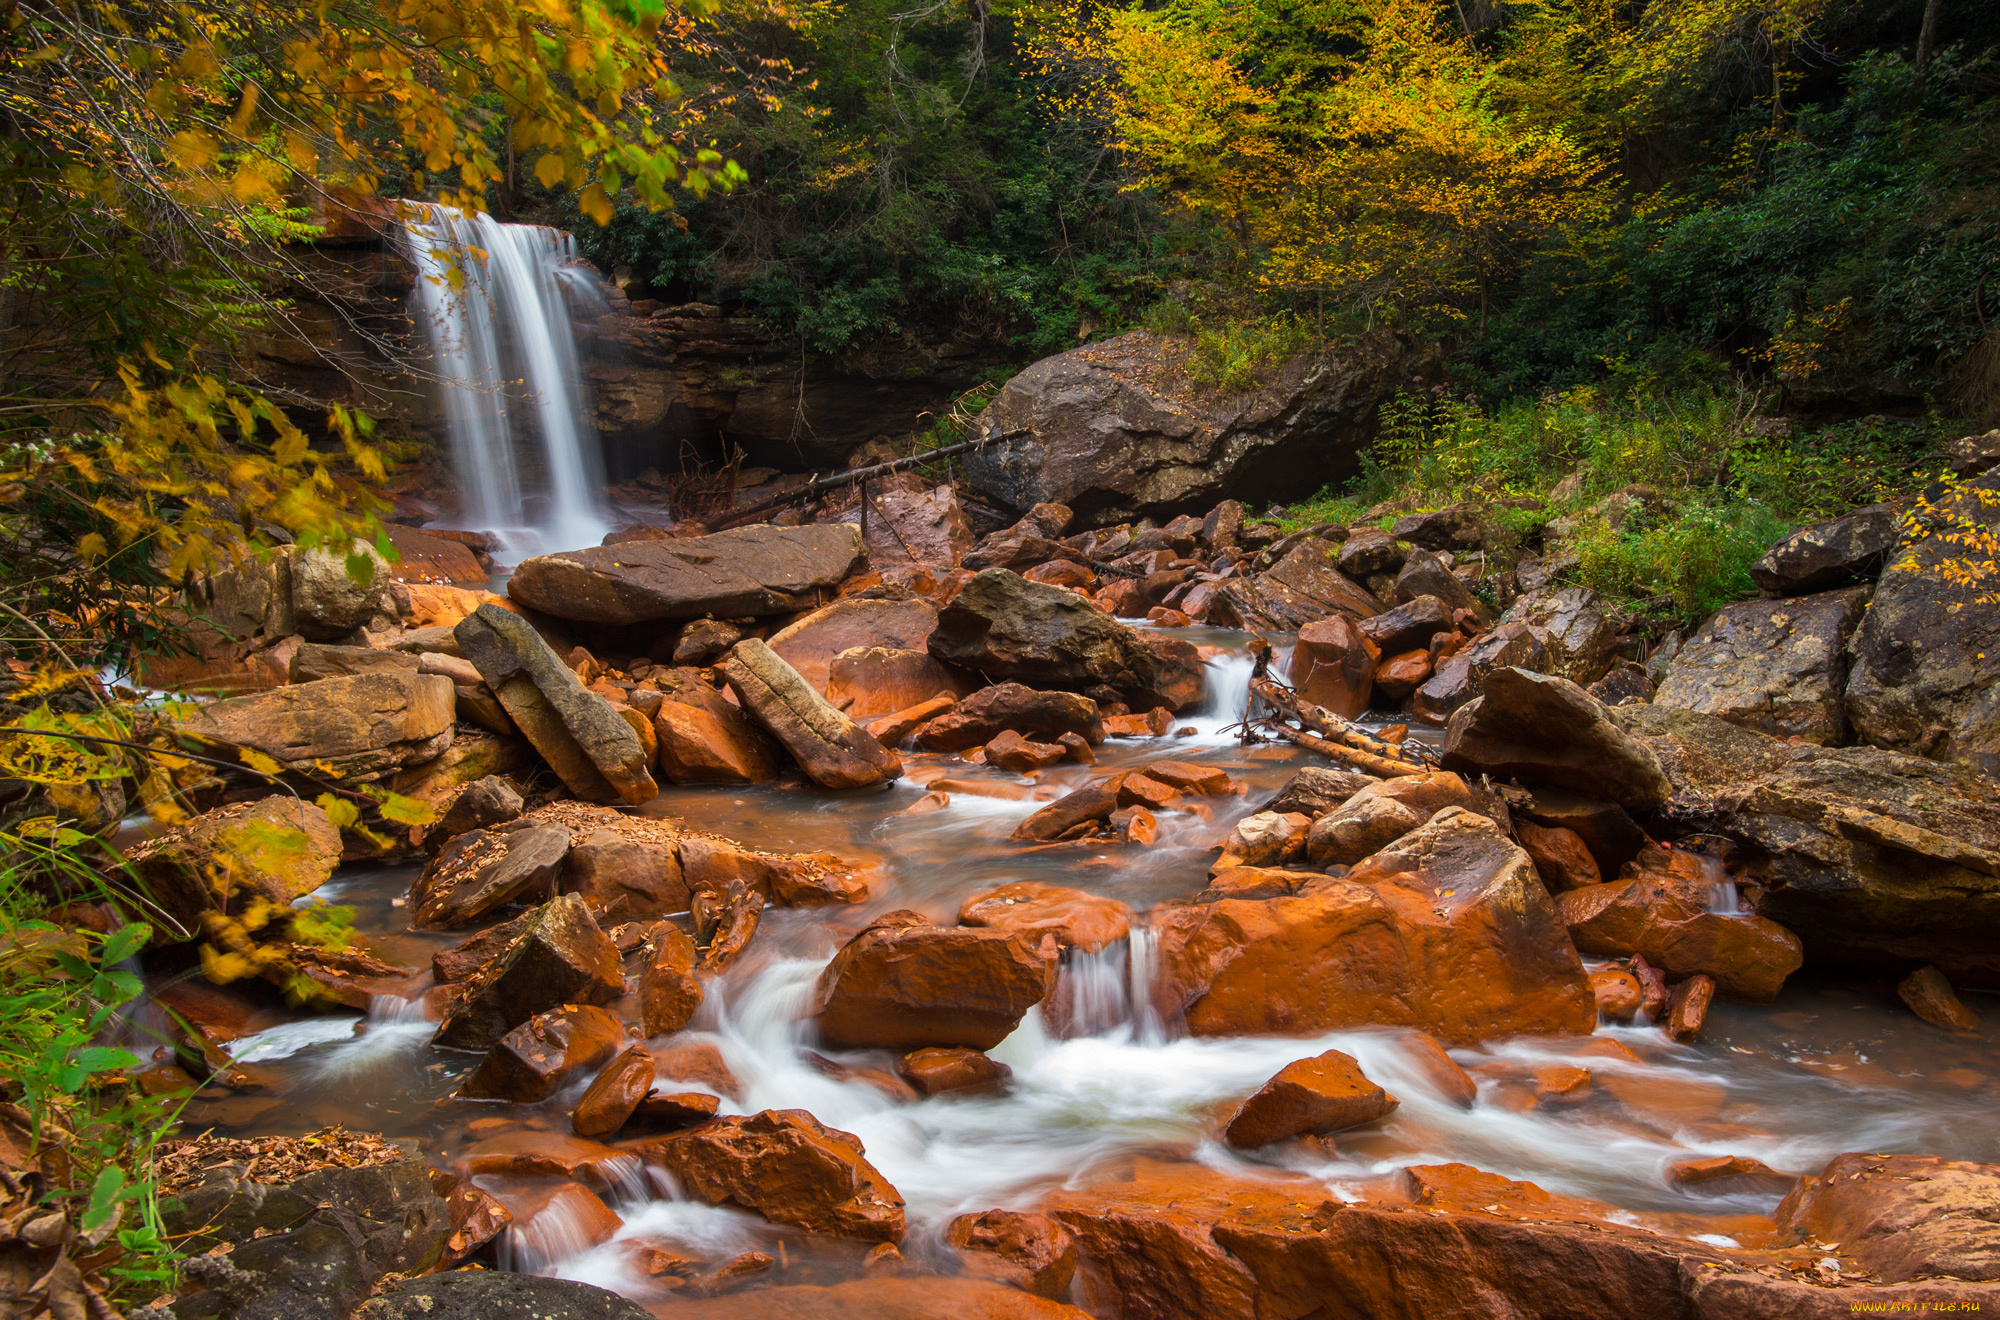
{"x": 495, "y": 311}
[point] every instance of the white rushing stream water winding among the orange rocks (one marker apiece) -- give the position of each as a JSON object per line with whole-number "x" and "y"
{"x": 1833, "y": 1067}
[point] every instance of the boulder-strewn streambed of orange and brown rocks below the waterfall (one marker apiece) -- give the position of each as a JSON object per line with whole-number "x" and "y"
{"x": 1417, "y": 931}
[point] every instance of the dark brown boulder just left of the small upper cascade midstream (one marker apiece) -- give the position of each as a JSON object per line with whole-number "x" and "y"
{"x": 1005, "y": 627}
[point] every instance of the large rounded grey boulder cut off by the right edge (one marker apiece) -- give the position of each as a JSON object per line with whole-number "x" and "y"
{"x": 1927, "y": 659}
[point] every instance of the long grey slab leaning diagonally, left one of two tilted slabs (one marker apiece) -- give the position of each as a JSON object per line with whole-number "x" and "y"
{"x": 579, "y": 735}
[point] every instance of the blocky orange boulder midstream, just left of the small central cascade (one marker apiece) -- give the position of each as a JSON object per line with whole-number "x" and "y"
{"x": 905, "y": 985}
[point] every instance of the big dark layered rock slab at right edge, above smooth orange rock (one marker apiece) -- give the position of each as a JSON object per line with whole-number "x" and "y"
{"x": 1877, "y": 861}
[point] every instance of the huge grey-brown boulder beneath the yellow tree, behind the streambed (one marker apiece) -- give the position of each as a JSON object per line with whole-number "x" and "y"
{"x": 1091, "y": 429}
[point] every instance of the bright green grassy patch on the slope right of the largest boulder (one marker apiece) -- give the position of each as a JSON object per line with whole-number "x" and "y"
{"x": 1725, "y": 487}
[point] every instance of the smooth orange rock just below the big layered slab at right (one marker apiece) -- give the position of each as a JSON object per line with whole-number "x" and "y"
{"x": 1749, "y": 957}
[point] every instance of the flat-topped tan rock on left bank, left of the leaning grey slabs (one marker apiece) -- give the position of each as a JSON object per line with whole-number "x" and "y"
{"x": 361, "y": 727}
